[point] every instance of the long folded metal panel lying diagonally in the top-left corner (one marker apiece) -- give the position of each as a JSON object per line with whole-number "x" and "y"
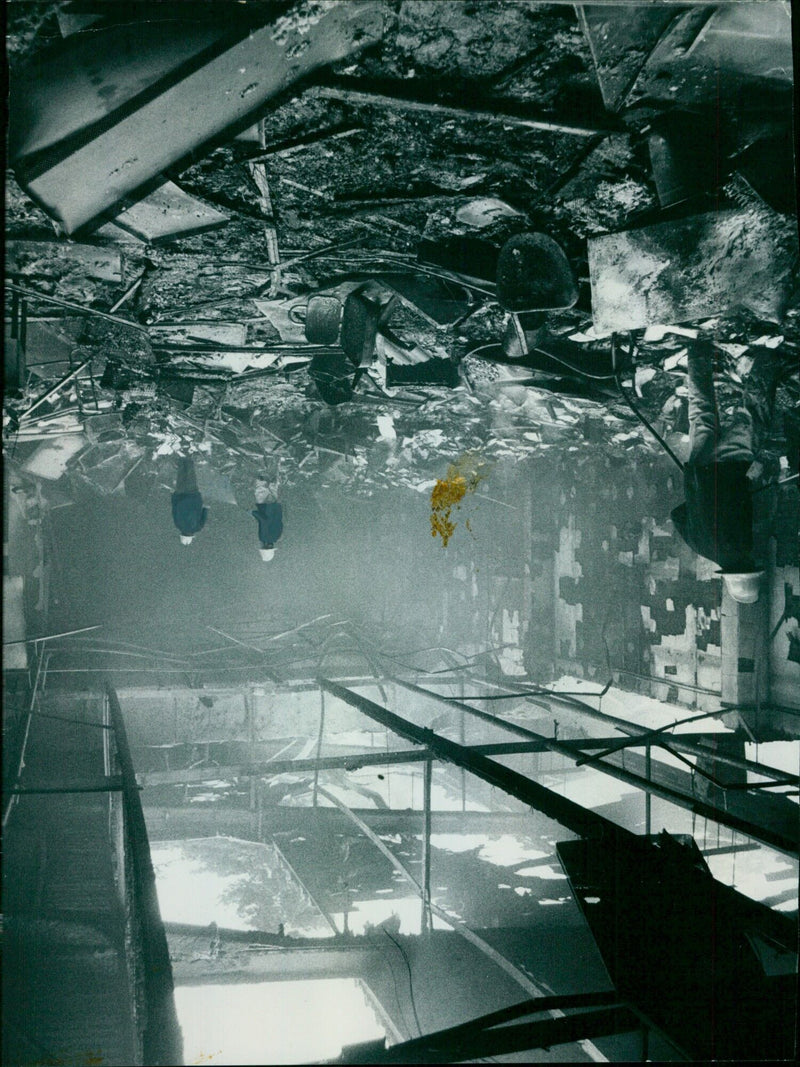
{"x": 81, "y": 178}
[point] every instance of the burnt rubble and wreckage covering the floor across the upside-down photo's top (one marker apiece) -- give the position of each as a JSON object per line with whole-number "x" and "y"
{"x": 404, "y": 151}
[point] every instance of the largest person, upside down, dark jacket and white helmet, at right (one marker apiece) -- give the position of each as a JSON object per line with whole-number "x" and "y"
{"x": 716, "y": 521}
